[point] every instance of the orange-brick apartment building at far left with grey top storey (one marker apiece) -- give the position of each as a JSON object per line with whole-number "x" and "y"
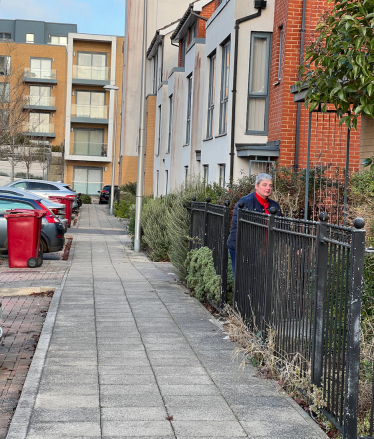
{"x": 33, "y": 64}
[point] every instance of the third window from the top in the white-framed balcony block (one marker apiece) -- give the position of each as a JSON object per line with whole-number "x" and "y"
{"x": 89, "y": 142}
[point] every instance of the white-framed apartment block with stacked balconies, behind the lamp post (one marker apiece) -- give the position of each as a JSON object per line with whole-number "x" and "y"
{"x": 92, "y": 125}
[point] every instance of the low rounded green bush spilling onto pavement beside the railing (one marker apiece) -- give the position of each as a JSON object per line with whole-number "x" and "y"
{"x": 202, "y": 277}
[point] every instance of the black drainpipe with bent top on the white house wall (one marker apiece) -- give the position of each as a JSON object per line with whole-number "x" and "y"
{"x": 258, "y": 4}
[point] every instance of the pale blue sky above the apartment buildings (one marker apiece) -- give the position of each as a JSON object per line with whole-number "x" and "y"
{"x": 105, "y": 17}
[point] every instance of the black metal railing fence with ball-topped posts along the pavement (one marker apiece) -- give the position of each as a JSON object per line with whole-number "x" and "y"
{"x": 304, "y": 280}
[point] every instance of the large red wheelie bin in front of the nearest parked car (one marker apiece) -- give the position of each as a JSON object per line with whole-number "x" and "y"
{"x": 24, "y": 229}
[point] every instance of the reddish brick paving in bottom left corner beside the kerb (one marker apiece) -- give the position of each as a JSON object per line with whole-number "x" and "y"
{"x": 23, "y": 318}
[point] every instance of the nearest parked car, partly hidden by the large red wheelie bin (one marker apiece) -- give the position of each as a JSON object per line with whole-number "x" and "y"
{"x": 52, "y": 235}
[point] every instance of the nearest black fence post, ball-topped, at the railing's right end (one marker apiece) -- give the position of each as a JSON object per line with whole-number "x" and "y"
{"x": 354, "y": 330}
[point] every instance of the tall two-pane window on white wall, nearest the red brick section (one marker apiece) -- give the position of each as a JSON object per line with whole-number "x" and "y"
{"x": 258, "y": 91}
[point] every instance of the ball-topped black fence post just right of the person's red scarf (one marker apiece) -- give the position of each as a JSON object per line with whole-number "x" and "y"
{"x": 269, "y": 267}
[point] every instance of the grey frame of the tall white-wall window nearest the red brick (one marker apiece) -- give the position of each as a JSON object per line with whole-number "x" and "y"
{"x": 258, "y": 95}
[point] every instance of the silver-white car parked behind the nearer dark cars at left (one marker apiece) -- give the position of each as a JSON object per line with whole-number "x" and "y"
{"x": 45, "y": 188}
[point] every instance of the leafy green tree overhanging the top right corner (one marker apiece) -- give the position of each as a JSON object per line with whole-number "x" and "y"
{"x": 339, "y": 64}
